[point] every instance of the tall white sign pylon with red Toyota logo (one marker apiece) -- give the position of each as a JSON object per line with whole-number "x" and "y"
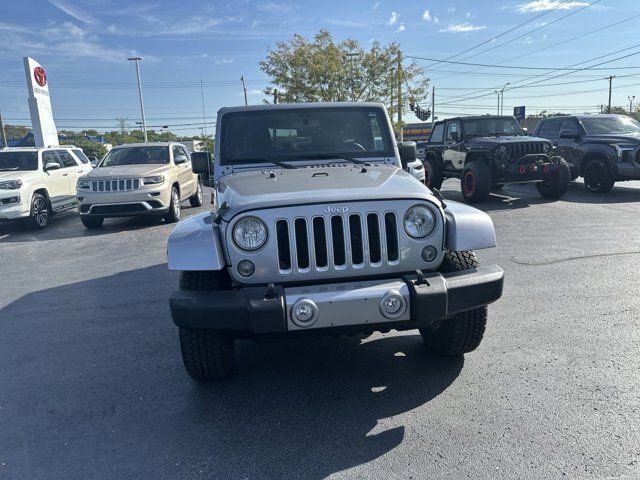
{"x": 44, "y": 128}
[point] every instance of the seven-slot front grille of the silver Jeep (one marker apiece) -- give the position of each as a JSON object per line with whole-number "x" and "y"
{"x": 338, "y": 241}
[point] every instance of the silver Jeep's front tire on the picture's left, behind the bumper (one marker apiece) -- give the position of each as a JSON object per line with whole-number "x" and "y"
{"x": 207, "y": 355}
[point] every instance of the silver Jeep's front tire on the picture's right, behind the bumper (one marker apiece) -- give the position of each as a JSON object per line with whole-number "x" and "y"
{"x": 464, "y": 332}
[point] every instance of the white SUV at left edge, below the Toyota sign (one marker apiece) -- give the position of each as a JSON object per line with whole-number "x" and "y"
{"x": 36, "y": 183}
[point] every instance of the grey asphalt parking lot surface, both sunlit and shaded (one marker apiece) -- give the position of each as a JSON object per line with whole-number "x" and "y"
{"x": 92, "y": 384}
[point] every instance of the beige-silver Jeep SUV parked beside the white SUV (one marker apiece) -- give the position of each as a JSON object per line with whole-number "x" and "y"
{"x": 139, "y": 179}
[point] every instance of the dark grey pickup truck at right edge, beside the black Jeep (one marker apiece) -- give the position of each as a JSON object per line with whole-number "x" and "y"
{"x": 603, "y": 149}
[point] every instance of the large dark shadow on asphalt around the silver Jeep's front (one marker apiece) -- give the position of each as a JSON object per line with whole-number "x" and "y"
{"x": 93, "y": 387}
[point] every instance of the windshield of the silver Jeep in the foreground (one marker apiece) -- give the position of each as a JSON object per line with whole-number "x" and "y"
{"x": 303, "y": 133}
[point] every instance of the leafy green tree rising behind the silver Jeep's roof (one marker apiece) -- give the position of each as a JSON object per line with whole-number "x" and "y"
{"x": 325, "y": 71}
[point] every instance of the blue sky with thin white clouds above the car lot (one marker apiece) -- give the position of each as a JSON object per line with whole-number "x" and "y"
{"x": 83, "y": 44}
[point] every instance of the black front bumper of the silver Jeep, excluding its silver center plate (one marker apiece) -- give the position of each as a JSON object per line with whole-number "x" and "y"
{"x": 254, "y": 311}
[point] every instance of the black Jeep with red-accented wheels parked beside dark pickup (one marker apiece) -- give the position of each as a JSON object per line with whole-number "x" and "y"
{"x": 486, "y": 152}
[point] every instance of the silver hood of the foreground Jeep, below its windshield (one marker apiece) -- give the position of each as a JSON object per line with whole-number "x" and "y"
{"x": 280, "y": 187}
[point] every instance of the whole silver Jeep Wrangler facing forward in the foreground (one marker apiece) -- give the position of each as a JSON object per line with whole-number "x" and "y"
{"x": 317, "y": 229}
